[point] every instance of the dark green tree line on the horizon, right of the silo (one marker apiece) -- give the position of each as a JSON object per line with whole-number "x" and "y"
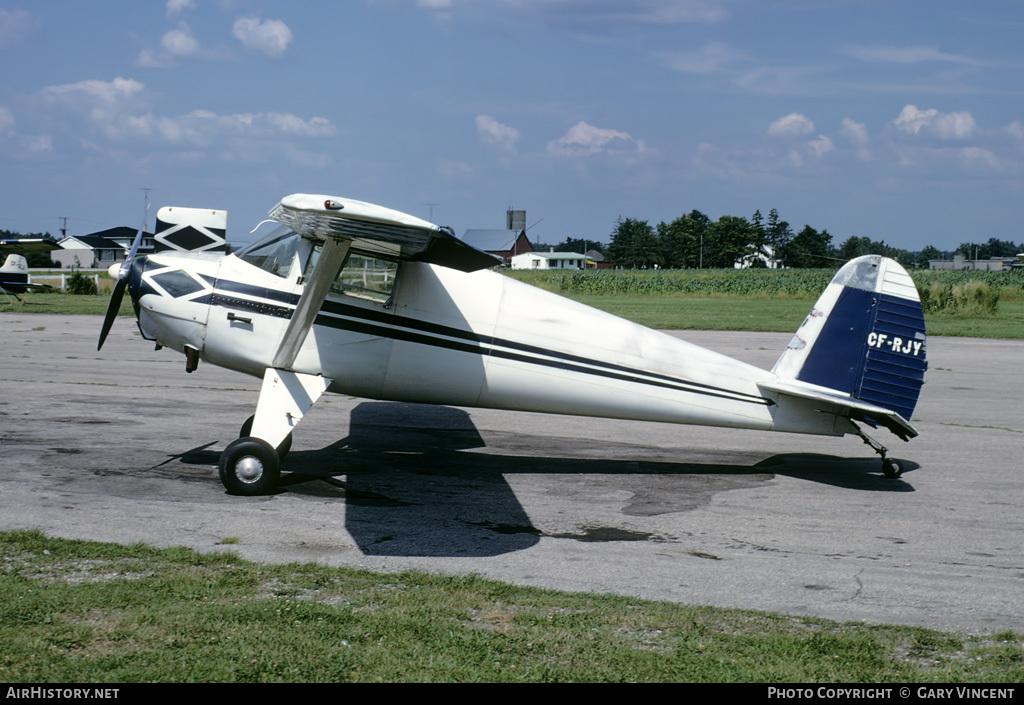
{"x": 695, "y": 241}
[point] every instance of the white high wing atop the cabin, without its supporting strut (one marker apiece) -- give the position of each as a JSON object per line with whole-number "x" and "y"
{"x": 377, "y": 230}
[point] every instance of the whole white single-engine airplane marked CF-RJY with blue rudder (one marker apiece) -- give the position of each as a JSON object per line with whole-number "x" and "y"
{"x": 351, "y": 298}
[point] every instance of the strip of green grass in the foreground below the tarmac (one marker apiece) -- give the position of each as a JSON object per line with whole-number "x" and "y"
{"x": 77, "y": 612}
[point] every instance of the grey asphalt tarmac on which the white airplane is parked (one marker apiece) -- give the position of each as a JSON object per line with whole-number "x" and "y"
{"x": 123, "y": 446}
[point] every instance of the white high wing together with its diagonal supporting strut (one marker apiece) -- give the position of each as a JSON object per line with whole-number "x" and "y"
{"x": 347, "y": 224}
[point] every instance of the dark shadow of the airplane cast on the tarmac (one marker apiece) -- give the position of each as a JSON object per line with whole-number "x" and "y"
{"x": 414, "y": 486}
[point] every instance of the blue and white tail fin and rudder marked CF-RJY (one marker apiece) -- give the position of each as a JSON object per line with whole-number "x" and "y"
{"x": 865, "y": 340}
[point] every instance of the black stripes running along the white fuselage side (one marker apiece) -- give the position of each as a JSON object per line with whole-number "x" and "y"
{"x": 387, "y": 325}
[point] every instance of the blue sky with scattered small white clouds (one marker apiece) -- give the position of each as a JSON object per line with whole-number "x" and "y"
{"x": 898, "y": 121}
